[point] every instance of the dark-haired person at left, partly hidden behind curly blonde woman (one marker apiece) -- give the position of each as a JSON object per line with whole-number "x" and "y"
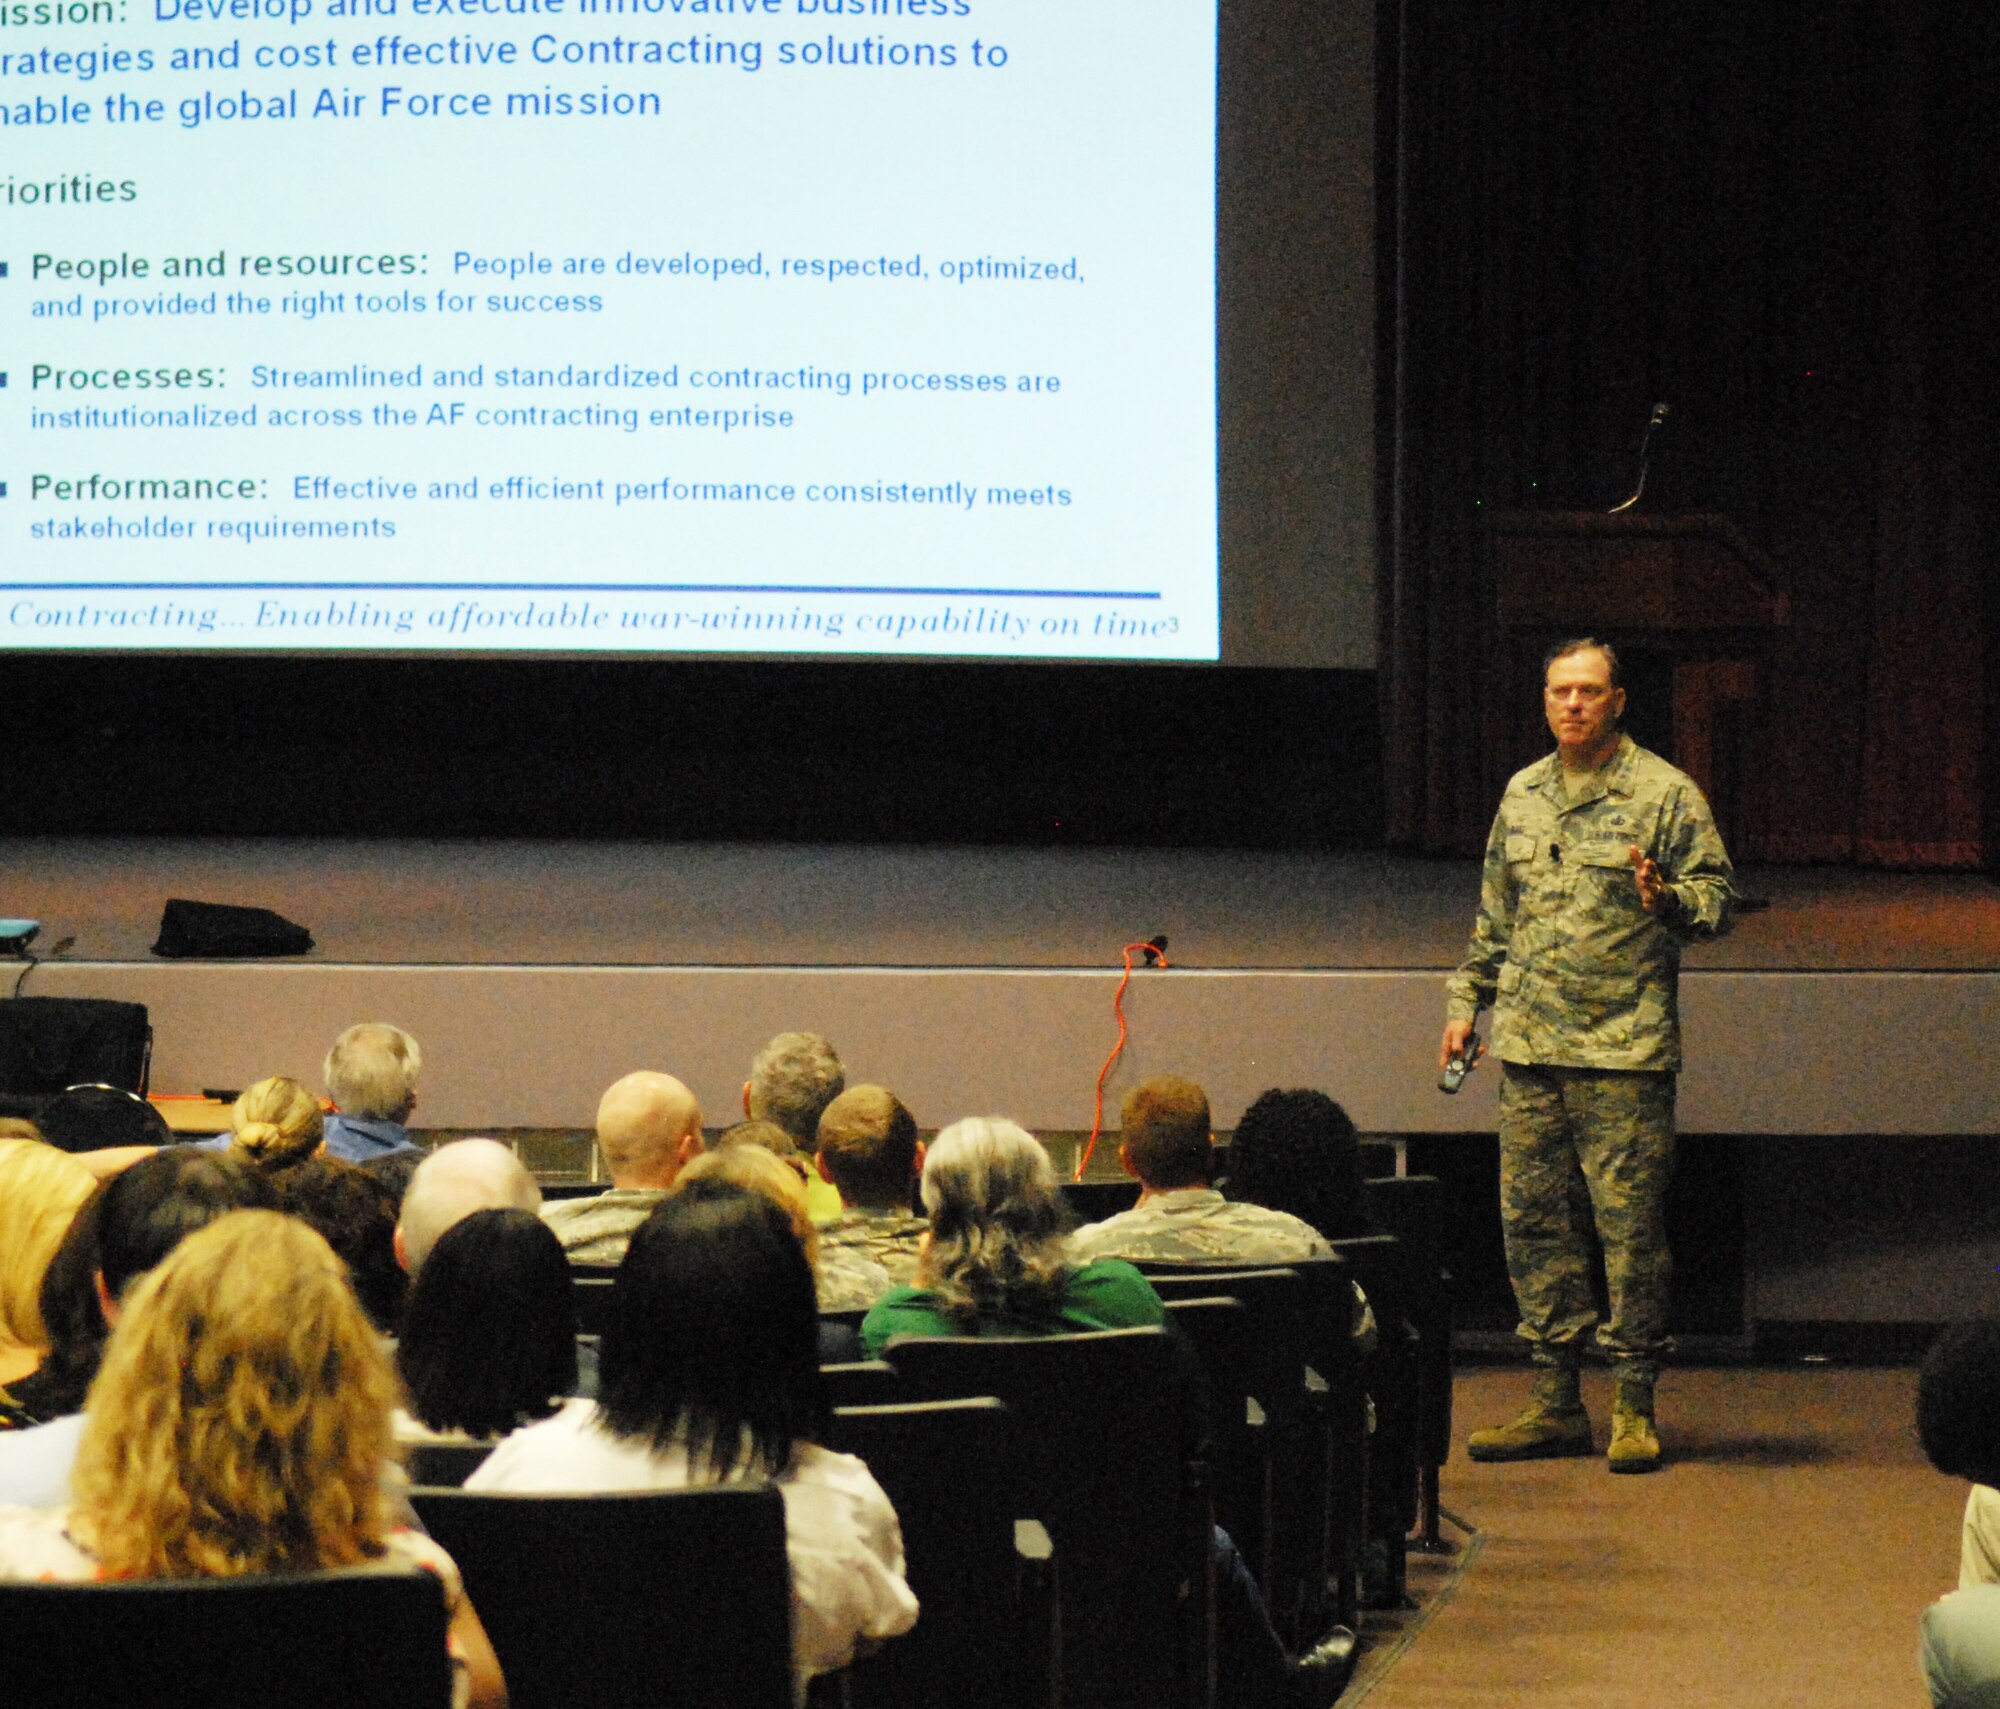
{"x": 127, "y": 1228}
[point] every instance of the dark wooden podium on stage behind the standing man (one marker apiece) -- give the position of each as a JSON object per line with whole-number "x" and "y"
{"x": 1685, "y": 599}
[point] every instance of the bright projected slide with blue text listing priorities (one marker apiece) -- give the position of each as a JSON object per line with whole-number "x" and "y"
{"x": 609, "y": 325}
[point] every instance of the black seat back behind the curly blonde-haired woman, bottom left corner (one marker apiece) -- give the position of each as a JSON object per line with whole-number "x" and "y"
{"x": 307, "y": 1642}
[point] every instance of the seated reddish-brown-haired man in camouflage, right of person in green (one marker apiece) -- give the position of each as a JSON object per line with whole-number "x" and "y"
{"x": 1167, "y": 1146}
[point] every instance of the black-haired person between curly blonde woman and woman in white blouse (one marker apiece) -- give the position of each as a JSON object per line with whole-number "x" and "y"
{"x": 489, "y": 1336}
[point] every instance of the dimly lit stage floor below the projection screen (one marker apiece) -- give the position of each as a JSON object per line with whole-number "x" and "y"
{"x": 383, "y": 904}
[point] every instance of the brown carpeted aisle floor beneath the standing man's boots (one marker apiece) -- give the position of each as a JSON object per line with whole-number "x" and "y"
{"x": 1779, "y": 1562}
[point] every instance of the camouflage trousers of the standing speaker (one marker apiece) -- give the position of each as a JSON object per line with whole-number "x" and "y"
{"x": 1587, "y": 1150}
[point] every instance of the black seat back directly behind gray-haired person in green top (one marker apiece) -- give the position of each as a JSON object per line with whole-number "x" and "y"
{"x": 1105, "y": 1454}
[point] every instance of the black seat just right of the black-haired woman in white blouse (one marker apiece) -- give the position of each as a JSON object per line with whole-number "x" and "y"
{"x": 987, "y": 1638}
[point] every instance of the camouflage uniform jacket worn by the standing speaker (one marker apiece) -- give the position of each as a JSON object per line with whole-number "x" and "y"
{"x": 1577, "y": 972}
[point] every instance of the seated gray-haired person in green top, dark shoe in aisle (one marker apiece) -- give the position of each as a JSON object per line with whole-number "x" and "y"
{"x": 997, "y": 1264}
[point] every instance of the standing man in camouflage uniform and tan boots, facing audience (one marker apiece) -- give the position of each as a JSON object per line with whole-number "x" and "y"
{"x": 1601, "y": 866}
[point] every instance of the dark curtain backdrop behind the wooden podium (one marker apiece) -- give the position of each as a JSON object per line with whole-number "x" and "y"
{"x": 1781, "y": 219}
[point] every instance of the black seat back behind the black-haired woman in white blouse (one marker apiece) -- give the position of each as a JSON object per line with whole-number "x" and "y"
{"x": 669, "y": 1600}
